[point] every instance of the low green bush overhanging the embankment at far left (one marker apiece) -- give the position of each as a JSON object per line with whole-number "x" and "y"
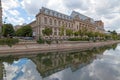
{"x": 8, "y": 41}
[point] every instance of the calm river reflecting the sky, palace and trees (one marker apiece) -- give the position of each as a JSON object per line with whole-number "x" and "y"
{"x": 101, "y": 63}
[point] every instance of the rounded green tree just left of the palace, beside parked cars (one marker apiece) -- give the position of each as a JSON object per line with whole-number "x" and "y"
{"x": 25, "y": 31}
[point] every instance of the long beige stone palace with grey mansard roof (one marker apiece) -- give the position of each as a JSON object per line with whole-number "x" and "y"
{"x": 55, "y": 20}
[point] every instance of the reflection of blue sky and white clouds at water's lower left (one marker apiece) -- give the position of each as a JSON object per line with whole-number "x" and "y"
{"x": 23, "y": 69}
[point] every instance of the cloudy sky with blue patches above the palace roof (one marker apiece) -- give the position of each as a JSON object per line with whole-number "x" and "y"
{"x": 18, "y": 12}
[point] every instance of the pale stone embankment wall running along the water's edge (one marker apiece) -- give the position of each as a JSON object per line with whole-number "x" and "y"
{"x": 28, "y": 48}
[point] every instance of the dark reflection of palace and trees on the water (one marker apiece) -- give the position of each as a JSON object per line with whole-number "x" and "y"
{"x": 50, "y": 63}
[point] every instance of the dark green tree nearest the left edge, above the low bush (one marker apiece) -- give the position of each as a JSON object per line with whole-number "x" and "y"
{"x": 8, "y": 30}
